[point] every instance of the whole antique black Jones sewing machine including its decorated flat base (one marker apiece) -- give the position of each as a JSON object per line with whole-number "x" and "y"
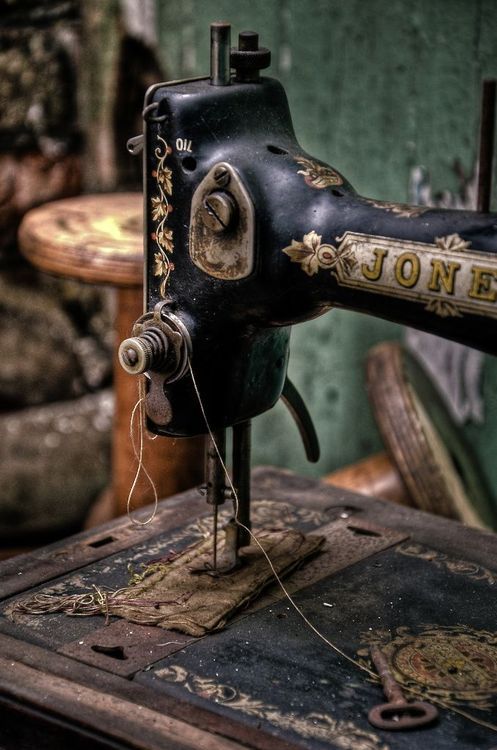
{"x": 246, "y": 235}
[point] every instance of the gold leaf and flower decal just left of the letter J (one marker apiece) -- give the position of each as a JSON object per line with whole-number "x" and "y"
{"x": 312, "y": 254}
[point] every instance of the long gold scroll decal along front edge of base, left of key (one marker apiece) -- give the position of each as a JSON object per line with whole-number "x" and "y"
{"x": 343, "y": 734}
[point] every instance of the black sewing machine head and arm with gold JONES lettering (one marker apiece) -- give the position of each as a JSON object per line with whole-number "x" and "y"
{"x": 247, "y": 234}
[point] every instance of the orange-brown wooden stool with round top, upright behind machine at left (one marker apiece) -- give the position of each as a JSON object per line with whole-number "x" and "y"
{"x": 99, "y": 239}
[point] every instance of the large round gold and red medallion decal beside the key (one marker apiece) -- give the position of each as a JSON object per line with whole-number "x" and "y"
{"x": 454, "y": 664}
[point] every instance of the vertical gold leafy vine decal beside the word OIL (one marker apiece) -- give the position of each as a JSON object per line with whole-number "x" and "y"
{"x": 160, "y": 210}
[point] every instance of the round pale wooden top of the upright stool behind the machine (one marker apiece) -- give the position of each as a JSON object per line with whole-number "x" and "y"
{"x": 93, "y": 238}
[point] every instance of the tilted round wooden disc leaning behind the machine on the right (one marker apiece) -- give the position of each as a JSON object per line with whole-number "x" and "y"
{"x": 437, "y": 467}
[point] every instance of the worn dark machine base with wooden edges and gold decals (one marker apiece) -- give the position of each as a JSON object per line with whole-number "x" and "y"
{"x": 421, "y": 587}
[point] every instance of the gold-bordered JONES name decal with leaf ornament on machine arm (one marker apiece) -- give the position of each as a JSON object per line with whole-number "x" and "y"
{"x": 463, "y": 283}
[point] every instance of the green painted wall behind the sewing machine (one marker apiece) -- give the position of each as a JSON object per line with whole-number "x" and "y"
{"x": 376, "y": 87}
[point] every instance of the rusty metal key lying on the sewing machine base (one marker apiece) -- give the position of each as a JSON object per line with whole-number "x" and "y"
{"x": 398, "y": 713}
